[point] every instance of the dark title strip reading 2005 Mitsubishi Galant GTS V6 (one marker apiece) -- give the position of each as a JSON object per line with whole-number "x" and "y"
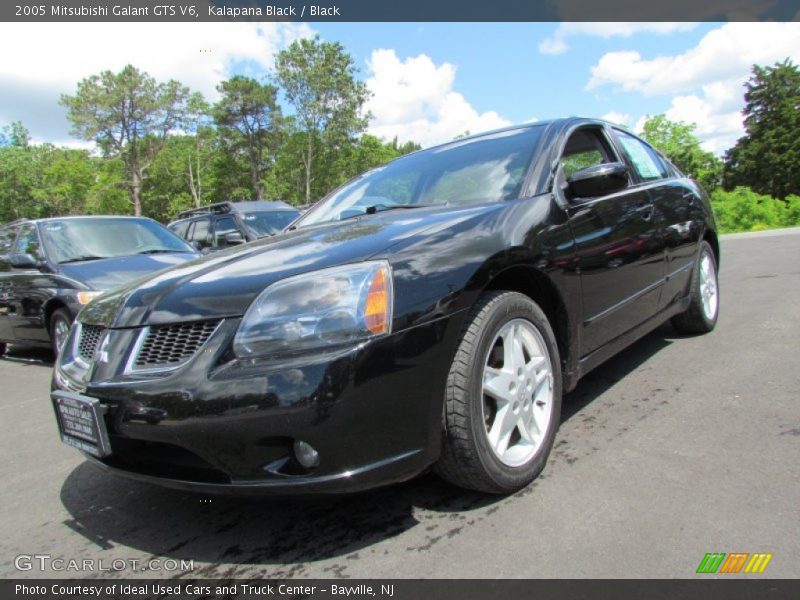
{"x": 405, "y": 11}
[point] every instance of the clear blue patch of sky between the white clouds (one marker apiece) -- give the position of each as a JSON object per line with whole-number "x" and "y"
{"x": 501, "y": 69}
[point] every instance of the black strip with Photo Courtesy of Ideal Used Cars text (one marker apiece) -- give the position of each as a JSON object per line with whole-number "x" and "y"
{"x": 398, "y": 589}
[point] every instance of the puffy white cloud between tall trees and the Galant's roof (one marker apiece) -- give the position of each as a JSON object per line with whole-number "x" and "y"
{"x": 413, "y": 99}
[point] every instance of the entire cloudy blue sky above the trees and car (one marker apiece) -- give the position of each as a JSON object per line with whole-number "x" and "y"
{"x": 430, "y": 81}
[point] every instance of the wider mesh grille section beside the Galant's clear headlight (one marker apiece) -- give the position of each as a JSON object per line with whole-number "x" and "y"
{"x": 170, "y": 345}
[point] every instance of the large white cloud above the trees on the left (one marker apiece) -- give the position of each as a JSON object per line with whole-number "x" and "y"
{"x": 58, "y": 55}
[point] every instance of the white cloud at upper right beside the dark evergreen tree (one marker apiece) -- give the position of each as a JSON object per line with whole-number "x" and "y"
{"x": 707, "y": 79}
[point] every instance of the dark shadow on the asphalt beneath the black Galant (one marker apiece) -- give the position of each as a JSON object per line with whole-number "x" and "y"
{"x": 278, "y": 537}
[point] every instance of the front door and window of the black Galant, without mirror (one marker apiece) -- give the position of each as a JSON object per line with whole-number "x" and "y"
{"x": 619, "y": 244}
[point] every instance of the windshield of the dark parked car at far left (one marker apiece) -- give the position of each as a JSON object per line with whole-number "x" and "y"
{"x": 86, "y": 239}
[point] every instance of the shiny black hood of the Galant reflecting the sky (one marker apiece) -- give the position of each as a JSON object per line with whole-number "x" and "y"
{"x": 223, "y": 284}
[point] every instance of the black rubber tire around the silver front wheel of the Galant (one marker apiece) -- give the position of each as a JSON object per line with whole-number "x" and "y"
{"x": 467, "y": 459}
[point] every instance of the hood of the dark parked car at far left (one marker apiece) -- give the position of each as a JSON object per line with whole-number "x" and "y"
{"x": 109, "y": 273}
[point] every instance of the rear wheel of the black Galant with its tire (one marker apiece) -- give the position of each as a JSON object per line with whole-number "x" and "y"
{"x": 703, "y": 311}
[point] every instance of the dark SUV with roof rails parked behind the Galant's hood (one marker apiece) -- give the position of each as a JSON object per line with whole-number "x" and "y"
{"x": 226, "y": 224}
